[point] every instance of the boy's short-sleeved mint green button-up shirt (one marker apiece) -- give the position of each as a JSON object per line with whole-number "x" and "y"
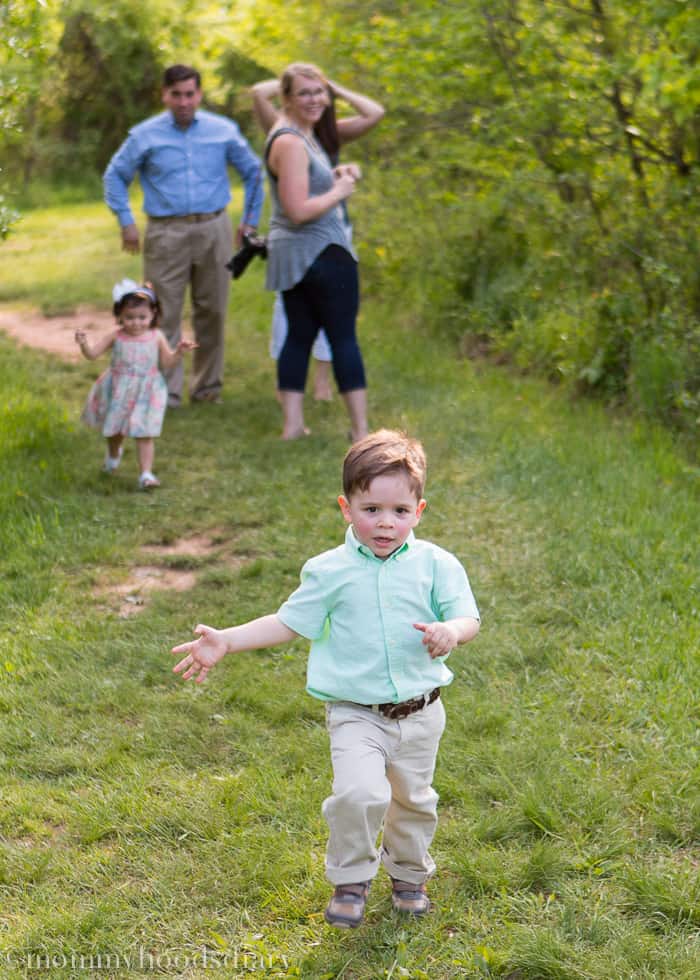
{"x": 358, "y": 610}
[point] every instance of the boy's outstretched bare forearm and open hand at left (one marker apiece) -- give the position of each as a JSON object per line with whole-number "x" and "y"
{"x": 204, "y": 653}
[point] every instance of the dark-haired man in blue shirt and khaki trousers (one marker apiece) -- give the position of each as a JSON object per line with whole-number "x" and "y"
{"x": 182, "y": 157}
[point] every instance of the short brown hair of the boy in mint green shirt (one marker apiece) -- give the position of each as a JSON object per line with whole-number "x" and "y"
{"x": 382, "y": 452}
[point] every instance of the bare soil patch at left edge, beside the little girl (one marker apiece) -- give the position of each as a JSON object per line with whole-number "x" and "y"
{"x": 56, "y": 334}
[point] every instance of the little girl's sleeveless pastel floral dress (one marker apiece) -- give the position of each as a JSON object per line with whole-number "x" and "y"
{"x": 130, "y": 397}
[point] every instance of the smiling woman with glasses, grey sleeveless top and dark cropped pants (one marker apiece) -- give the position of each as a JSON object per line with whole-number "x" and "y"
{"x": 309, "y": 259}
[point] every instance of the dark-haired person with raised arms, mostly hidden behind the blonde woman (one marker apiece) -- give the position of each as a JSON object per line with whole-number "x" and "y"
{"x": 332, "y": 133}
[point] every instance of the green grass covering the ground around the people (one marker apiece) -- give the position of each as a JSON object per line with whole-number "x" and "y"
{"x": 148, "y": 826}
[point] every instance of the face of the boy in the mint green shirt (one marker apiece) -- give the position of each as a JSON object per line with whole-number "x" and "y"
{"x": 384, "y": 514}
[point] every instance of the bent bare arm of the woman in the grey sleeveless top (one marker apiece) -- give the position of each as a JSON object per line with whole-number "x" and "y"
{"x": 289, "y": 163}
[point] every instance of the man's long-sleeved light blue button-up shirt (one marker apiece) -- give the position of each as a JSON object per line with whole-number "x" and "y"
{"x": 183, "y": 171}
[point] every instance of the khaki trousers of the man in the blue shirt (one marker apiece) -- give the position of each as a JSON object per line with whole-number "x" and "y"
{"x": 182, "y": 252}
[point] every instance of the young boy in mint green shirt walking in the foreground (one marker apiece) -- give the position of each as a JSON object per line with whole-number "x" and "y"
{"x": 382, "y": 612}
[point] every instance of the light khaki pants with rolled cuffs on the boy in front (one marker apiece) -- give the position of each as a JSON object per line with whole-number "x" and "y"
{"x": 382, "y": 773}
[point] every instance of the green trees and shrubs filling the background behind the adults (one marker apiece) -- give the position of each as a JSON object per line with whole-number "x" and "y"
{"x": 532, "y": 189}
